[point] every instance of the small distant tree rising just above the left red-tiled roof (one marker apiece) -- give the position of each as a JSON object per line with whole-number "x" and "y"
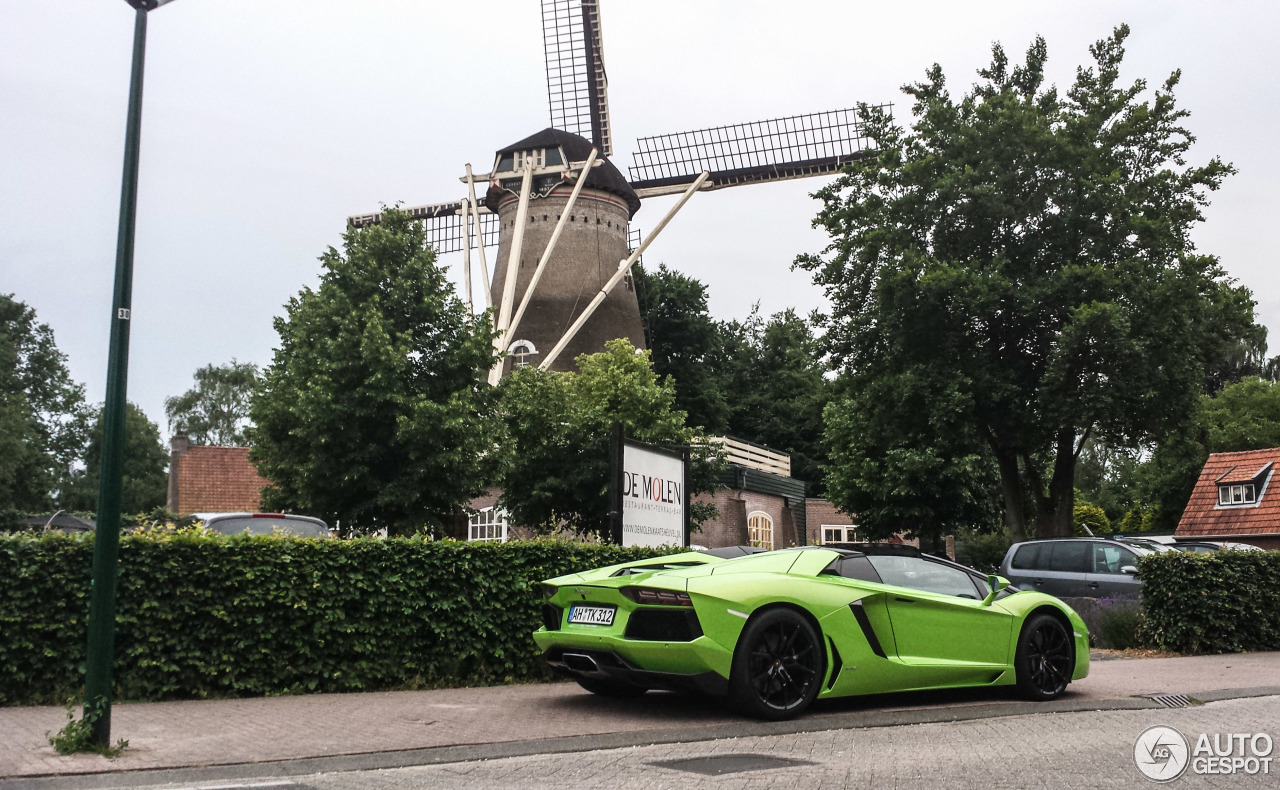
{"x": 216, "y": 412}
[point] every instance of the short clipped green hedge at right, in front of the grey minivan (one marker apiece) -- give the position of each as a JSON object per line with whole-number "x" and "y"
{"x": 1226, "y": 602}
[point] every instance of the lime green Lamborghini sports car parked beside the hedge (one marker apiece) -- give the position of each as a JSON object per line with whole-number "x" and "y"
{"x": 775, "y": 631}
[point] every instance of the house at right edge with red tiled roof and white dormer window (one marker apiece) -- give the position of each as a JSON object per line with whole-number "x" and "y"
{"x": 1233, "y": 501}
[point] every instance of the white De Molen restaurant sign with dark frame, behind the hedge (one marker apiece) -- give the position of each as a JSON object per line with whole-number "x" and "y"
{"x": 650, "y": 494}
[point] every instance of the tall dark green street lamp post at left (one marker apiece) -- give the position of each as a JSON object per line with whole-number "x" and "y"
{"x": 107, "y": 535}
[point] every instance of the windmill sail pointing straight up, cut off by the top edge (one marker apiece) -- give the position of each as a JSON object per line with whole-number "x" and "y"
{"x": 577, "y": 85}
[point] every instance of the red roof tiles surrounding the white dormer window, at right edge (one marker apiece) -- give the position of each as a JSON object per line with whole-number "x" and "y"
{"x": 1204, "y": 518}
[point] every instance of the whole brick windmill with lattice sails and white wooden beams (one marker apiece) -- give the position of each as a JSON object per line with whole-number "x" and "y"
{"x": 560, "y": 211}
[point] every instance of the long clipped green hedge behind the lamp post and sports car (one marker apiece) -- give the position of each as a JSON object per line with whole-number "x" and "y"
{"x": 203, "y": 615}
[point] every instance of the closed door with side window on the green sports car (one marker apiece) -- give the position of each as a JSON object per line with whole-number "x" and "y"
{"x": 939, "y": 619}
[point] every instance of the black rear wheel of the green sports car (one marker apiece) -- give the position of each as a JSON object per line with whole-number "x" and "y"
{"x": 778, "y": 666}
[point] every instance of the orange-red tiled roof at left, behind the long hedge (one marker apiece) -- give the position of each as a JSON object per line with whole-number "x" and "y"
{"x": 216, "y": 480}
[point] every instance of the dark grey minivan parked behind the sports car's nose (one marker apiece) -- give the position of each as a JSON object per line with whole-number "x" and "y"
{"x": 1081, "y": 568}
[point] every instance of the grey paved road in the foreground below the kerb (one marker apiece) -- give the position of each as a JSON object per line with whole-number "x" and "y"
{"x": 1078, "y": 750}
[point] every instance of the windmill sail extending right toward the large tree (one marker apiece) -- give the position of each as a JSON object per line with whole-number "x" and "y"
{"x": 798, "y": 147}
